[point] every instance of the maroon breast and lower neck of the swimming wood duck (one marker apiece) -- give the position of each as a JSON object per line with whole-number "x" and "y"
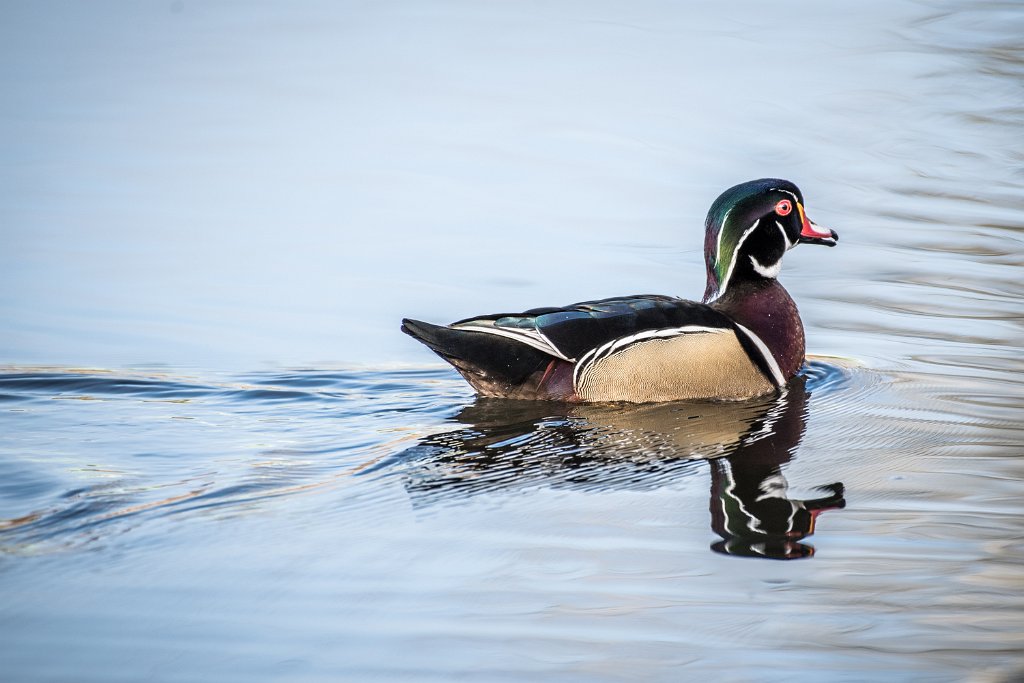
{"x": 764, "y": 308}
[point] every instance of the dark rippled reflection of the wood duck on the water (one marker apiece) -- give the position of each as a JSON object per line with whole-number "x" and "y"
{"x": 510, "y": 445}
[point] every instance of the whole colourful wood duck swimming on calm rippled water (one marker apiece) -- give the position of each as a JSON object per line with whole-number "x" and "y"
{"x": 745, "y": 339}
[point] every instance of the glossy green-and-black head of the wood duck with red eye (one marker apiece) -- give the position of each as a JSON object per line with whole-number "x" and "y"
{"x": 749, "y": 230}
